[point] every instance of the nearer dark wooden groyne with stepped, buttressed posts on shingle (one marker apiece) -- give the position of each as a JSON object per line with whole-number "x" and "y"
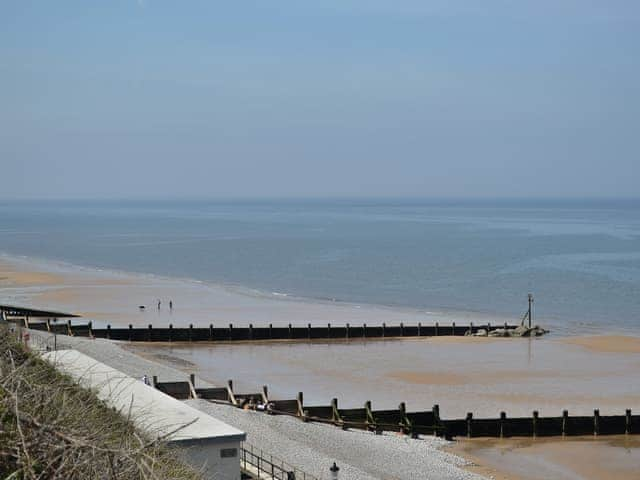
{"x": 427, "y": 422}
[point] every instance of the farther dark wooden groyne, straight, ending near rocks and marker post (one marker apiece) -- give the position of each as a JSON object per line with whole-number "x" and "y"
{"x": 233, "y": 333}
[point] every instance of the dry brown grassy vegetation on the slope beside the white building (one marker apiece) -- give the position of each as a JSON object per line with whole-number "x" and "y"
{"x": 52, "y": 428}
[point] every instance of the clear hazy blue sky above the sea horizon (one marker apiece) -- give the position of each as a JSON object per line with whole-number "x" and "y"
{"x": 339, "y": 98}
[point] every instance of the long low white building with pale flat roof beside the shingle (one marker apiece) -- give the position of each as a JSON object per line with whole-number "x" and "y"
{"x": 206, "y": 442}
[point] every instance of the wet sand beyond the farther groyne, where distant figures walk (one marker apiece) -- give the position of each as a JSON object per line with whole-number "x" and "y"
{"x": 113, "y": 297}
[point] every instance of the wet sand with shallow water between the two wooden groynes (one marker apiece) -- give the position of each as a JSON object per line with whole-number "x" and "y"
{"x": 483, "y": 376}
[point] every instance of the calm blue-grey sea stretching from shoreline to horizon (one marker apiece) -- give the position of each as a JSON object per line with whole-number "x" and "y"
{"x": 581, "y": 259}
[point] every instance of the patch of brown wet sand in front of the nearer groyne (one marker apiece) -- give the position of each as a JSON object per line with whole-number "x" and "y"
{"x": 583, "y": 458}
